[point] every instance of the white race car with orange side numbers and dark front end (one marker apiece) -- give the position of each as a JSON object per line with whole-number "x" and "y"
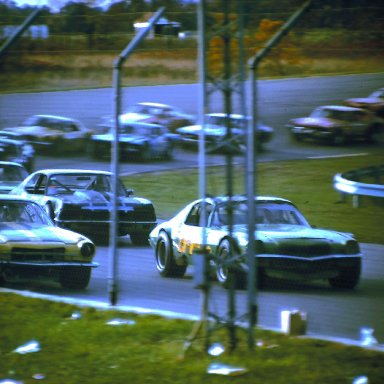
{"x": 286, "y": 244}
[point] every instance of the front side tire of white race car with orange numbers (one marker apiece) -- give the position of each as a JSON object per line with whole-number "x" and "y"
{"x": 225, "y": 250}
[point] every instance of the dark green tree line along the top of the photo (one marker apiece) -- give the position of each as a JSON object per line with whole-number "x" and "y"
{"x": 89, "y": 18}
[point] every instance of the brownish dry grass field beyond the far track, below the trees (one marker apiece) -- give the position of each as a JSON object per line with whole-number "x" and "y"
{"x": 64, "y": 71}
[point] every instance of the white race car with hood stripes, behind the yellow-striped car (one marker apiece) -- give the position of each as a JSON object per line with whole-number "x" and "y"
{"x": 81, "y": 200}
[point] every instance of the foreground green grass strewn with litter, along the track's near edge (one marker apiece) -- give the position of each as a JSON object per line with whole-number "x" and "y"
{"x": 88, "y": 350}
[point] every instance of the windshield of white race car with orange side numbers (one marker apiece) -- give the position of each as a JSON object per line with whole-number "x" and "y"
{"x": 266, "y": 213}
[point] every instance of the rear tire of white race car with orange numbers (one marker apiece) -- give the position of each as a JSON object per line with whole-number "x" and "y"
{"x": 165, "y": 261}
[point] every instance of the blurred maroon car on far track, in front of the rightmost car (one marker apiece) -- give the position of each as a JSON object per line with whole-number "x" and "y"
{"x": 337, "y": 125}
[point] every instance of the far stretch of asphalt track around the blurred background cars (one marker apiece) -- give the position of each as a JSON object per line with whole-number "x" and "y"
{"x": 279, "y": 100}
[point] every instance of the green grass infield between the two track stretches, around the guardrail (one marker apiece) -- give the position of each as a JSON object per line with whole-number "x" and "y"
{"x": 308, "y": 183}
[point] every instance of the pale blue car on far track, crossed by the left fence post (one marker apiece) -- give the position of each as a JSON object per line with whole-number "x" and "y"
{"x": 141, "y": 140}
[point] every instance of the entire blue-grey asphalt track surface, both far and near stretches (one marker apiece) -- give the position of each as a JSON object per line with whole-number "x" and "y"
{"x": 336, "y": 314}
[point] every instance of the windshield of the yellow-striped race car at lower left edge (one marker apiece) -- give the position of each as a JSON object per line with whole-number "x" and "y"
{"x": 22, "y": 212}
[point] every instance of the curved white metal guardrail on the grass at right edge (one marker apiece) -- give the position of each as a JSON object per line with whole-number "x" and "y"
{"x": 350, "y": 183}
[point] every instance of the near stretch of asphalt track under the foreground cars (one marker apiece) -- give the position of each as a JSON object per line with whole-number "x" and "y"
{"x": 331, "y": 313}
